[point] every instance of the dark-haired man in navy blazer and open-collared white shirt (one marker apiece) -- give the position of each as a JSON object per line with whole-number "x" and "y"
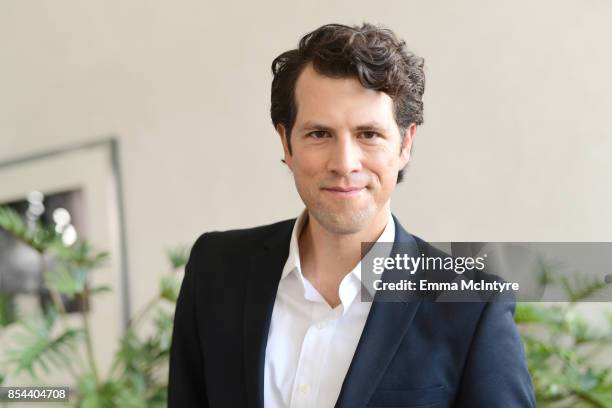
{"x": 272, "y": 316}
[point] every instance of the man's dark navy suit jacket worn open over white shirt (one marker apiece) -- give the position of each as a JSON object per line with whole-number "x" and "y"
{"x": 416, "y": 353}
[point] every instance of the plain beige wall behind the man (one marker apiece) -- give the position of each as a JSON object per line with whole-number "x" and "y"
{"x": 516, "y": 144}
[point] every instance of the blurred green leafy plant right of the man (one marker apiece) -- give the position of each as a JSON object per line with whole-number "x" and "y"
{"x": 562, "y": 348}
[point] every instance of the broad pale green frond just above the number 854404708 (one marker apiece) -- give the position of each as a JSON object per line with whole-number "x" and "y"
{"x": 37, "y": 348}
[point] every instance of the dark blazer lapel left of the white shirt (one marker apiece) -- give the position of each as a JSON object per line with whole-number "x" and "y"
{"x": 265, "y": 270}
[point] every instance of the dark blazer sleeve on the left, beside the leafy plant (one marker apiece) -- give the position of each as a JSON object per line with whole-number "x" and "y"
{"x": 186, "y": 383}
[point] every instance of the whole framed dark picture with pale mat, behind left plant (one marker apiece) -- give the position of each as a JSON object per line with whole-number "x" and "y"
{"x": 76, "y": 188}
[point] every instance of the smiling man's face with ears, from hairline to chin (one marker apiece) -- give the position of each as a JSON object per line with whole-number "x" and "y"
{"x": 346, "y": 151}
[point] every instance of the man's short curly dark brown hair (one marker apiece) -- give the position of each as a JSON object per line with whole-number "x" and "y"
{"x": 372, "y": 54}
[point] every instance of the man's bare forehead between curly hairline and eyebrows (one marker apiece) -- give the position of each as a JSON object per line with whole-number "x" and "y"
{"x": 339, "y": 101}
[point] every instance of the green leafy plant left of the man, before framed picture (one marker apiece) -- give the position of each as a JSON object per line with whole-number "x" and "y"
{"x": 138, "y": 375}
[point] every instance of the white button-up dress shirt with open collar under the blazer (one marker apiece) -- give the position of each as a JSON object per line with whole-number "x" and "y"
{"x": 310, "y": 344}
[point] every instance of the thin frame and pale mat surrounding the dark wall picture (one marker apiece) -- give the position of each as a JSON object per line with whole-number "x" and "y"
{"x": 91, "y": 169}
